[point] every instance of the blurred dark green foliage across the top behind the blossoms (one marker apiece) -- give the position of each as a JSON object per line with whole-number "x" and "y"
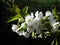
{"x": 33, "y": 5}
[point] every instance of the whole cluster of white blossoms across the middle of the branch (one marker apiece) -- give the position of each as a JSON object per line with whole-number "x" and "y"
{"x": 33, "y": 23}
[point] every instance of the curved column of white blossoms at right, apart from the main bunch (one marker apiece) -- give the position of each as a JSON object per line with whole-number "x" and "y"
{"x": 52, "y": 21}
